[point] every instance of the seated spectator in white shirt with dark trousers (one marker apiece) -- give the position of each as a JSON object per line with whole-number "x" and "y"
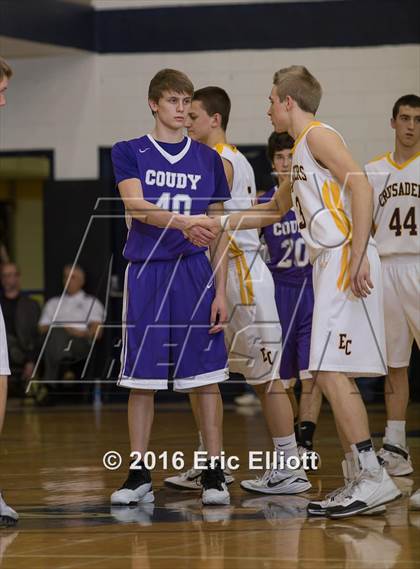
{"x": 74, "y": 318}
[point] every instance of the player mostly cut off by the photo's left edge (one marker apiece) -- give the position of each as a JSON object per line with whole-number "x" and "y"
{"x": 8, "y": 516}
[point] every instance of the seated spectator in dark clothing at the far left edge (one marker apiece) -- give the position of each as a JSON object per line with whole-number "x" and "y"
{"x": 21, "y": 315}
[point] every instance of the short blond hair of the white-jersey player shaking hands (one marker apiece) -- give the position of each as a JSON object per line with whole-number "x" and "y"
{"x": 297, "y": 82}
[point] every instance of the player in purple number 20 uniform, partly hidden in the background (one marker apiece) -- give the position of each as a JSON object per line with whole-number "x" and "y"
{"x": 292, "y": 274}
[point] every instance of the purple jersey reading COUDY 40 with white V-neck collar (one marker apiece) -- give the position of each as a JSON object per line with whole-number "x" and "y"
{"x": 185, "y": 183}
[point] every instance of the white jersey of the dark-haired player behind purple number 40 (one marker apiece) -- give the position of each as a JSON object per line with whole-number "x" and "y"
{"x": 243, "y": 196}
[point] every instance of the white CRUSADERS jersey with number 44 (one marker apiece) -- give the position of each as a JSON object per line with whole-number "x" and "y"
{"x": 396, "y": 204}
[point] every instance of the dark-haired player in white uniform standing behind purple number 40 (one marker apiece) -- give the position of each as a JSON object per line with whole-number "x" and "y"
{"x": 252, "y": 329}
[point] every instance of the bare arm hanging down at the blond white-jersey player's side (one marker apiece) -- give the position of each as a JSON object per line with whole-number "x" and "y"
{"x": 328, "y": 148}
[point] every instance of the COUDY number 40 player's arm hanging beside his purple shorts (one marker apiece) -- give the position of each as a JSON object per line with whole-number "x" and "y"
{"x": 219, "y": 261}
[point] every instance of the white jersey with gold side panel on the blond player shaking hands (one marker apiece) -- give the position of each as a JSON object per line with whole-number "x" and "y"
{"x": 322, "y": 207}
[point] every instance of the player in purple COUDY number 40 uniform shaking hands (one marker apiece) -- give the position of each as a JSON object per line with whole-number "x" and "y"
{"x": 174, "y": 302}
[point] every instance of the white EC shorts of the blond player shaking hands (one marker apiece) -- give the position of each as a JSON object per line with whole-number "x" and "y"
{"x": 348, "y": 334}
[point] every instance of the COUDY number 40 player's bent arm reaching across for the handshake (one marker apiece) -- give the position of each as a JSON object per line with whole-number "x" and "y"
{"x": 137, "y": 207}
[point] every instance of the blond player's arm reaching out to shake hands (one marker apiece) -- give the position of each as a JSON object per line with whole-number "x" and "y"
{"x": 255, "y": 217}
